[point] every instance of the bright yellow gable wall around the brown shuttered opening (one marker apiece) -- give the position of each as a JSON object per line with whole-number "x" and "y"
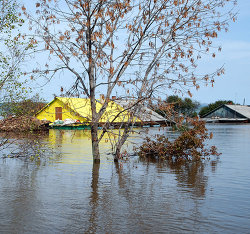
{"x": 49, "y": 112}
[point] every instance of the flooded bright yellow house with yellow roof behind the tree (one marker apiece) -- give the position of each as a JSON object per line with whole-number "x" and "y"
{"x": 62, "y": 108}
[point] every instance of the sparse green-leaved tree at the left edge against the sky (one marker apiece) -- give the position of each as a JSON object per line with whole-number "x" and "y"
{"x": 12, "y": 53}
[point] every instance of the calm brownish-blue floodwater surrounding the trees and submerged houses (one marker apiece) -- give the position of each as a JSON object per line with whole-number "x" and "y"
{"x": 67, "y": 194}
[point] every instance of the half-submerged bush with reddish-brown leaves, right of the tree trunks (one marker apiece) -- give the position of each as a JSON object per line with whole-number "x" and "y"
{"x": 189, "y": 145}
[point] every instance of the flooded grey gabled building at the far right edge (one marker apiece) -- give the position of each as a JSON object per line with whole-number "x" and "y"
{"x": 228, "y": 113}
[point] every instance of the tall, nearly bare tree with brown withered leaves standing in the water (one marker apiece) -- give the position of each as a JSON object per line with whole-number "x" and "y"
{"x": 140, "y": 49}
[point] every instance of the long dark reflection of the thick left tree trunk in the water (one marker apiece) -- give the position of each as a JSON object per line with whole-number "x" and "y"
{"x": 94, "y": 199}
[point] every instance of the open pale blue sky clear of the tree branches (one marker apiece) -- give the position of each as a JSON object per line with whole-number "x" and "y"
{"x": 235, "y": 57}
